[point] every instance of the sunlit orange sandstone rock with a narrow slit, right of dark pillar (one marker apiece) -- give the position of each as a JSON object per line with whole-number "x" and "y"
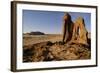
{"x": 79, "y": 31}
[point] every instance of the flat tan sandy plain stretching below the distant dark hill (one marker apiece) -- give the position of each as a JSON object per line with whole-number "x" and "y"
{"x": 34, "y": 39}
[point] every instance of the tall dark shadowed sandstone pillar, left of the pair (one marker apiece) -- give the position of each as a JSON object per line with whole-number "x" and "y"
{"x": 67, "y": 27}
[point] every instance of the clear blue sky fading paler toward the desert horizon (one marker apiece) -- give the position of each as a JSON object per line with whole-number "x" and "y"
{"x": 49, "y": 22}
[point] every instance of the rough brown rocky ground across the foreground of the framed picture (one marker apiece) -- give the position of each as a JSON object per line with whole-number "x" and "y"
{"x": 57, "y": 51}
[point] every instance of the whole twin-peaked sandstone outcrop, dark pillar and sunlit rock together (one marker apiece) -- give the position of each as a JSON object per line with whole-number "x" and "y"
{"x": 74, "y": 31}
